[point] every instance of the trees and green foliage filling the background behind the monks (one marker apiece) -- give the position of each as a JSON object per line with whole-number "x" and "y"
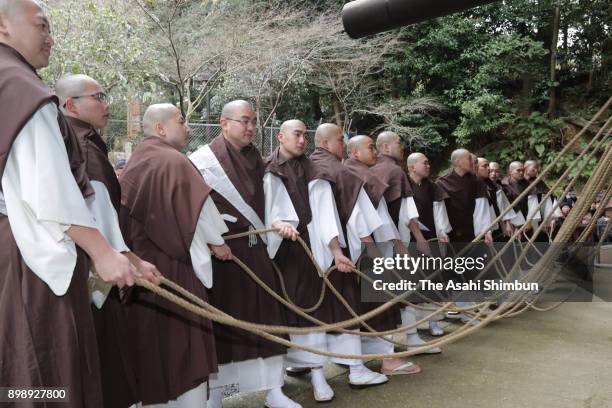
{"x": 479, "y": 79}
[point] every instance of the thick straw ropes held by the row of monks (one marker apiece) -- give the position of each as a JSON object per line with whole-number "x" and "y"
{"x": 515, "y": 305}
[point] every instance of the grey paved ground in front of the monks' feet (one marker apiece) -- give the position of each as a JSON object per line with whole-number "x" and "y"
{"x": 560, "y": 359}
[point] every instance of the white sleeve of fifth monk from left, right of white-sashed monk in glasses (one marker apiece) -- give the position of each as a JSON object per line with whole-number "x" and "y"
{"x": 278, "y": 208}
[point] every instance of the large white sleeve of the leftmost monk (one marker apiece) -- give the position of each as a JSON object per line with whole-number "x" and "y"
{"x": 43, "y": 200}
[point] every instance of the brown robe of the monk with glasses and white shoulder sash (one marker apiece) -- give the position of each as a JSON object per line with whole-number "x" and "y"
{"x": 234, "y": 291}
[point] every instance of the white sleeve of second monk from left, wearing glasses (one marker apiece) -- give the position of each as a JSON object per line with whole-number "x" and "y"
{"x": 105, "y": 216}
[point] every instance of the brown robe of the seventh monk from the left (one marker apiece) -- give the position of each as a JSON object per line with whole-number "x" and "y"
{"x": 376, "y": 189}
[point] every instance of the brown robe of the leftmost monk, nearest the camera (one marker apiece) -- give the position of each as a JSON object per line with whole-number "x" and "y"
{"x": 47, "y": 340}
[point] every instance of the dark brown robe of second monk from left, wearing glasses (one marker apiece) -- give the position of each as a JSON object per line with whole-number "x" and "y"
{"x": 114, "y": 346}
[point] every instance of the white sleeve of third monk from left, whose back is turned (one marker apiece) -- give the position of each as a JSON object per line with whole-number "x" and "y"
{"x": 209, "y": 230}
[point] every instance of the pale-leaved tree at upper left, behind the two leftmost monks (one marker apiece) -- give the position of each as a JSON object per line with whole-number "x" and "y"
{"x": 105, "y": 41}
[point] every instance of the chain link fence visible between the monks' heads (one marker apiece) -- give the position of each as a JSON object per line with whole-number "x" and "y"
{"x": 201, "y": 134}
